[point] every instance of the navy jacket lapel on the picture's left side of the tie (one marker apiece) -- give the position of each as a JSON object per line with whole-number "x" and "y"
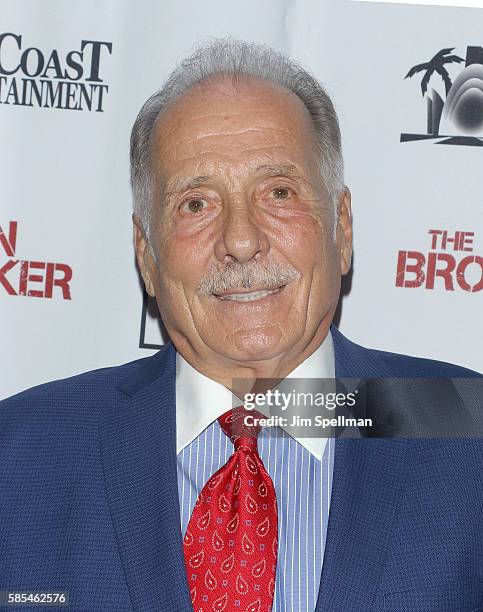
{"x": 138, "y": 445}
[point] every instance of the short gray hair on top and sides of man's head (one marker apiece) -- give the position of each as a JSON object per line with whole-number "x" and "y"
{"x": 237, "y": 58}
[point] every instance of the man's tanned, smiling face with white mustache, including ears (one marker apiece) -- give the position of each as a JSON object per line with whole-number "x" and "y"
{"x": 247, "y": 268}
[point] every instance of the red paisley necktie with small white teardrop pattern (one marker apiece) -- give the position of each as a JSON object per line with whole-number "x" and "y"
{"x": 230, "y": 545}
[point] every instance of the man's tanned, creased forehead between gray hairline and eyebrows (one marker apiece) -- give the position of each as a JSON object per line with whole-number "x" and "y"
{"x": 199, "y": 137}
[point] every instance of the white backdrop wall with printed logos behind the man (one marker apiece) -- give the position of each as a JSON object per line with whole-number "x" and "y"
{"x": 408, "y": 86}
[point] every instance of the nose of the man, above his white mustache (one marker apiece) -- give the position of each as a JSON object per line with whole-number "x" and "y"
{"x": 241, "y": 238}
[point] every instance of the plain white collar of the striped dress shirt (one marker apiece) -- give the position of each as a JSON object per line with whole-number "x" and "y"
{"x": 201, "y": 400}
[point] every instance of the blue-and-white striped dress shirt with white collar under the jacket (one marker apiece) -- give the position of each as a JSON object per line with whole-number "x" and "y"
{"x": 301, "y": 471}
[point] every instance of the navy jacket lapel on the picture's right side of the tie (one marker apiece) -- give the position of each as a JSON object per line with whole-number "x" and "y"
{"x": 368, "y": 482}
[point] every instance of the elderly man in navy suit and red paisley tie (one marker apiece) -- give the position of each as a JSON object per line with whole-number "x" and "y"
{"x": 128, "y": 488}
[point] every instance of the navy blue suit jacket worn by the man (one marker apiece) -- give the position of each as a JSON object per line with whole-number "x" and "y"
{"x": 89, "y": 498}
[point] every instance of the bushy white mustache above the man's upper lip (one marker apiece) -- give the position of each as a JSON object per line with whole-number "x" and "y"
{"x": 222, "y": 277}
